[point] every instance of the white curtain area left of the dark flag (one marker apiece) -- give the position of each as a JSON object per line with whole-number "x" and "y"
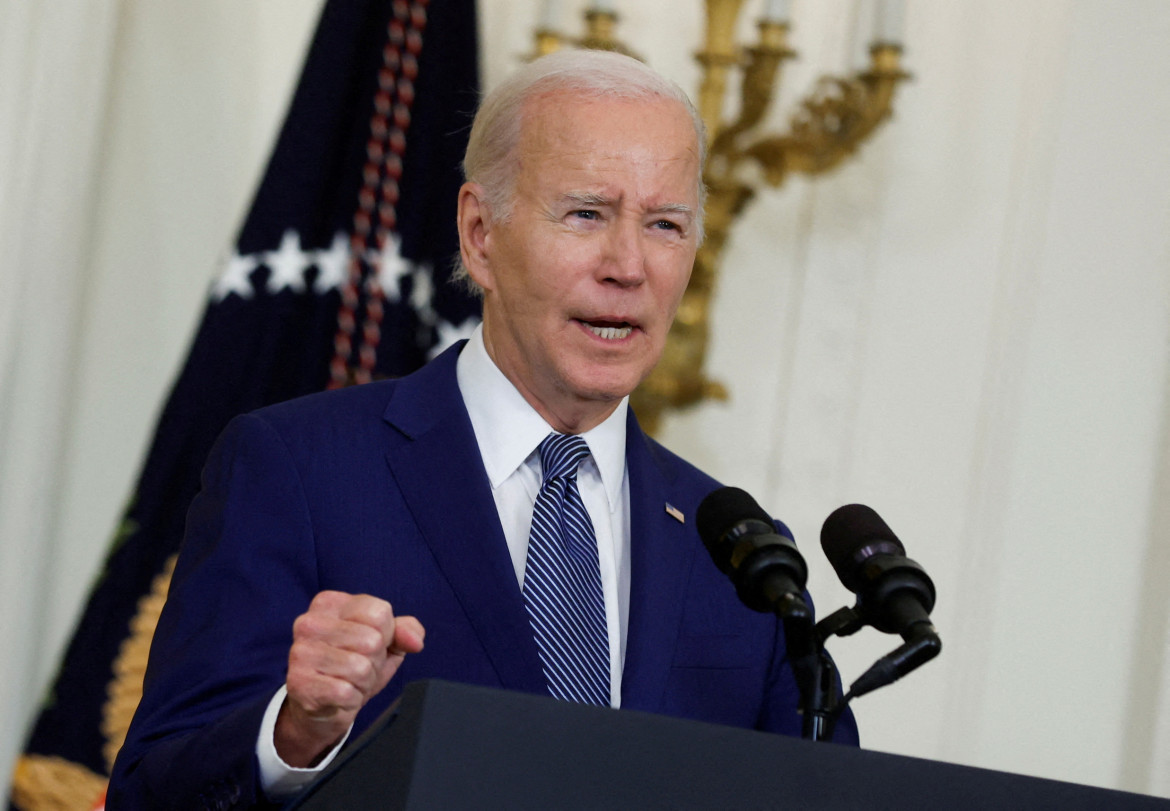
{"x": 132, "y": 136}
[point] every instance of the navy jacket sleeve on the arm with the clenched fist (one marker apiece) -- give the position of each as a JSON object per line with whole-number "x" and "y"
{"x": 221, "y": 651}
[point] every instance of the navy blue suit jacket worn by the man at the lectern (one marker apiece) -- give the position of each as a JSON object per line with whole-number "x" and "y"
{"x": 381, "y": 490}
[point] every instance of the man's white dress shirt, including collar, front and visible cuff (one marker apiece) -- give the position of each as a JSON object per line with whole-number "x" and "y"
{"x": 508, "y": 431}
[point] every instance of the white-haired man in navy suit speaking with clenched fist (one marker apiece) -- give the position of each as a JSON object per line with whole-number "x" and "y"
{"x": 347, "y": 544}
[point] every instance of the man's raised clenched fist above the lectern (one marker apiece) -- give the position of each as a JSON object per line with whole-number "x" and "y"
{"x": 346, "y": 649}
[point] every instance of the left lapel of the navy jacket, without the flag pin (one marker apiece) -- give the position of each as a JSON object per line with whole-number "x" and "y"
{"x": 436, "y": 462}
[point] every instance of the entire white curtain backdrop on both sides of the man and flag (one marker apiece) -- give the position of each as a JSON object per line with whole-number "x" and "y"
{"x": 966, "y": 328}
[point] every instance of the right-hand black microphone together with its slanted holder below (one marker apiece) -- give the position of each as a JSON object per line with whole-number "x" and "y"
{"x": 894, "y": 594}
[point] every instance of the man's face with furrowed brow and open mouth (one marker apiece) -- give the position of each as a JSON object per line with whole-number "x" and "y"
{"x": 582, "y": 283}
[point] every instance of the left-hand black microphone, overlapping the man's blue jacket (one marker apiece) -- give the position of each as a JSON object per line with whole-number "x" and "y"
{"x": 766, "y": 567}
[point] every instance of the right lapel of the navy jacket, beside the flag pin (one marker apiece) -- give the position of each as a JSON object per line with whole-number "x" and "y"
{"x": 662, "y": 554}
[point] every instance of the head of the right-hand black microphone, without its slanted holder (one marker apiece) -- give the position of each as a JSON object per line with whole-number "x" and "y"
{"x": 894, "y": 594}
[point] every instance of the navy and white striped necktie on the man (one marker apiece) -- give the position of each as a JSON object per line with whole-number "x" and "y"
{"x": 563, "y": 581}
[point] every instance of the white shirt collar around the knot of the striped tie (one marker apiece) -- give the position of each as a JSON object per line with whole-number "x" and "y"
{"x": 508, "y": 429}
